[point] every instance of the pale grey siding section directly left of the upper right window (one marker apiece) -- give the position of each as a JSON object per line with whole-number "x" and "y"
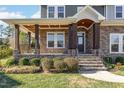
{"x": 110, "y": 12}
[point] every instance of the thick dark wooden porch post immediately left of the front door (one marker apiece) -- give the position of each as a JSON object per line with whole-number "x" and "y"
{"x": 72, "y": 39}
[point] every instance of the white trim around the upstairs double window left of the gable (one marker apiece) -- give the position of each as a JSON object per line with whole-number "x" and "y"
{"x": 56, "y": 10}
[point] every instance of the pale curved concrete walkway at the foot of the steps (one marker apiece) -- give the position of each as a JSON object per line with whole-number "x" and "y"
{"x": 104, "y": 76}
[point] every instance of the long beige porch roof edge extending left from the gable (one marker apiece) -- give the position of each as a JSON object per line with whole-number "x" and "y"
{"x": 41, "y": 21}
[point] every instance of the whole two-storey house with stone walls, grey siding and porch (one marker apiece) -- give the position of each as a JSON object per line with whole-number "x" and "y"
{"x": 73, "y": 30}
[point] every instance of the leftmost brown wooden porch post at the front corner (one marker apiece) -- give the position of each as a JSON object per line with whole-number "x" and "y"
{"x": 17, "y": 47}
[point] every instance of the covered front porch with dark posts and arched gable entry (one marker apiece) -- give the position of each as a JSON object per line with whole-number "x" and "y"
{"x": 71, "y": 36}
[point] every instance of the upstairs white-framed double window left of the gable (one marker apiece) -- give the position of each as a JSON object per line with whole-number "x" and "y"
{"x": 56, "y": 12}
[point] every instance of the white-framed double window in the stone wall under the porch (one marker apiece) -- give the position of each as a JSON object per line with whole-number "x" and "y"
{"x": 55, "y": 40}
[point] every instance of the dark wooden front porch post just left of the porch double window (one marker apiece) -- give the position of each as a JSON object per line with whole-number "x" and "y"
{"x": 37, "y": 45}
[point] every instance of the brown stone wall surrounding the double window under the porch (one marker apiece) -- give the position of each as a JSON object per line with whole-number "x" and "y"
{"x": 43, "y": 42}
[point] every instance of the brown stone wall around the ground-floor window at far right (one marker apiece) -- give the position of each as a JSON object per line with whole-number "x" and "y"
{"x": 105, "y": 39}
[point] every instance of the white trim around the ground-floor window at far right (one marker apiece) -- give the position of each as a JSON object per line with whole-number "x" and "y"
{"x": 120, "y": 51}
